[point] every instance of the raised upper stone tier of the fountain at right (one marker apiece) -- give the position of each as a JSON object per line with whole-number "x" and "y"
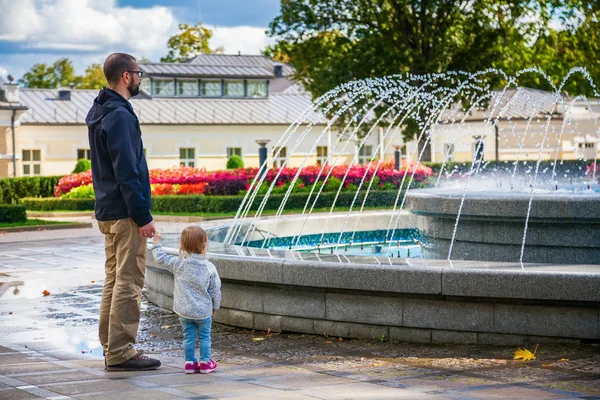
{"x": 563, "y": 228}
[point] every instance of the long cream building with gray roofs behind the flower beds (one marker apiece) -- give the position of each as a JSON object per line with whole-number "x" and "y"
{"x": 200, "y": 112}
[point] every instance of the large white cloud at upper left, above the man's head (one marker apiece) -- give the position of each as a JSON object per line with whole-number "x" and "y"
{"x": 88, "y": 25}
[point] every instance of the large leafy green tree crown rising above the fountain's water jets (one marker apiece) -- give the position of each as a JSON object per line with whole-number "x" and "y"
{"x": 331, "y": 43}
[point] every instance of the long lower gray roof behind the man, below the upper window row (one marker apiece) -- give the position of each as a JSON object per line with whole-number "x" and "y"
{"x": 278, "y": 108}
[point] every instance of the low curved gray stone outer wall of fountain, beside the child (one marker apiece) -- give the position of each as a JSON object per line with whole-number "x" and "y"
{"x": 415, "y": 300}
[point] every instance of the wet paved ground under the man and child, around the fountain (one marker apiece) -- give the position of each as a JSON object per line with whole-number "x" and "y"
{"x": 49, "y": 347}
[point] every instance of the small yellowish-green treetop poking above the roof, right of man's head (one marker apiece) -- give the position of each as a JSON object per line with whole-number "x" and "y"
{"x": 189, "y": 42}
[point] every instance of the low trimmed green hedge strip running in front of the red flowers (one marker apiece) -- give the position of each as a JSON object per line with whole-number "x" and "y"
{"x": 204, "y": 203}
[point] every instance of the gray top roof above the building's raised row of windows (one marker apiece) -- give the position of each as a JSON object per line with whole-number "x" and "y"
{"x": 219, "y": 65}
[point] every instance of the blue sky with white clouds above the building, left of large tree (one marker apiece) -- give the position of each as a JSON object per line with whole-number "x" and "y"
{"x": 86, "y": 31}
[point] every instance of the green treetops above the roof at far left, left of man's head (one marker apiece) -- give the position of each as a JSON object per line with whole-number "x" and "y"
{"x": 60, "y": 73}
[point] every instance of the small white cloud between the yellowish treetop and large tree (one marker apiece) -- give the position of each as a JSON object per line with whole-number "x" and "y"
{"x": 245, "y": 39}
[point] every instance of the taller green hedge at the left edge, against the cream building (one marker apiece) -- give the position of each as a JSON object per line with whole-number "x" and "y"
{"x": 13, "y": 189}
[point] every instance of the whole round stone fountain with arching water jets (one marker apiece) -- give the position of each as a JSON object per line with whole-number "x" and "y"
{"x": 455, "y": 257}
